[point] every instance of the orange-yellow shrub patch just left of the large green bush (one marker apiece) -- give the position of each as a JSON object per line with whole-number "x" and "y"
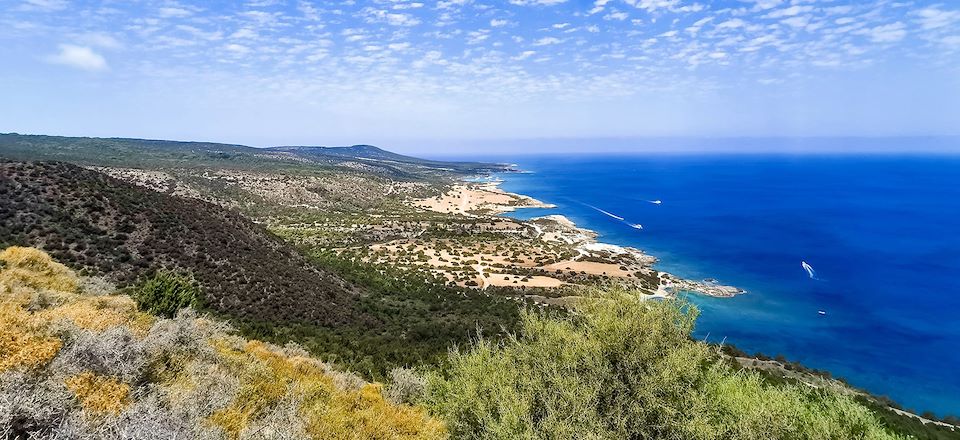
{"x": 328, "y": 412}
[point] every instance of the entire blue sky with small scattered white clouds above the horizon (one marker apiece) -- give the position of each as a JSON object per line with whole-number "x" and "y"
{"x": 464, "y": 73}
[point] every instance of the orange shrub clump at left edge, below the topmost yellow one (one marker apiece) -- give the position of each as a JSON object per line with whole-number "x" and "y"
{"x": 22, "y": 343}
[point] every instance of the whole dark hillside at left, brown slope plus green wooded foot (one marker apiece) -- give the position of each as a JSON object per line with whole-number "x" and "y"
{"x": 380, "y": 319}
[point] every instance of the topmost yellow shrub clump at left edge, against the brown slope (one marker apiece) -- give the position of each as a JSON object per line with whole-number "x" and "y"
{"x": 34, "y": 268}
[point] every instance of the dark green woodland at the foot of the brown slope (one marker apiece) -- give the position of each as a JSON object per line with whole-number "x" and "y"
{"x": 418, "y": 319}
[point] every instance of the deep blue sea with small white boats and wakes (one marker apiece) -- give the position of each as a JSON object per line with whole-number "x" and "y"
{"x": 882, "y": 233}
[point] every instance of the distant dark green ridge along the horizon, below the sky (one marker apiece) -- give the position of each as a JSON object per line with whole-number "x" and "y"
{"x": 153, "y": 154}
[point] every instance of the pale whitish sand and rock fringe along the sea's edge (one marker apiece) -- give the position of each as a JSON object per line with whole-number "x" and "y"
{"x": 482, "y": 194}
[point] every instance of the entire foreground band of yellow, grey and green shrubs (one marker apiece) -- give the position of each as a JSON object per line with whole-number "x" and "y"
{"x": 81, "y": 361}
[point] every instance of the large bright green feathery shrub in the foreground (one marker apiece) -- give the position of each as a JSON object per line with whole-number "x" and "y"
{"x": 620, "y": 368}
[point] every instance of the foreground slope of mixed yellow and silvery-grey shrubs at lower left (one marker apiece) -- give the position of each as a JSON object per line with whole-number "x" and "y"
{"x": 76, "y": 364}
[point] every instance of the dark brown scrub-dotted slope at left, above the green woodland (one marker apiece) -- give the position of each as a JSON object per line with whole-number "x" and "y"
{"x": 91, "y": 221}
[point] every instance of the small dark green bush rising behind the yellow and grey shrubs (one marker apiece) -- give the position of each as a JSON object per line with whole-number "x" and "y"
{"x": 166, "y": 292}
